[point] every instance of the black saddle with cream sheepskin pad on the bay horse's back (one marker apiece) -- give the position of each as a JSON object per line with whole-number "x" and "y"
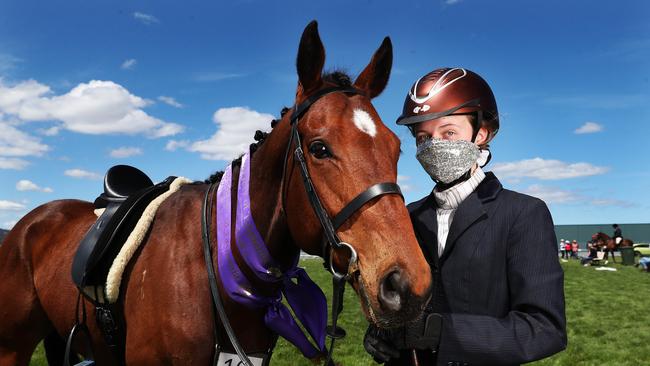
{"x": 125, "y": 212}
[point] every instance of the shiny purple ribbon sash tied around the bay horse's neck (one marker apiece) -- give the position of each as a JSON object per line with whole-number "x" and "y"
{"x": 304, "y": 296}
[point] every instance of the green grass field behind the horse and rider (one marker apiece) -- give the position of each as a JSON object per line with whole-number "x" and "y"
{"x": 608, "y": 320}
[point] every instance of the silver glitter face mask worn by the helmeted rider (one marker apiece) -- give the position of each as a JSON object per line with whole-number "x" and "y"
{"x": 446, "y": 160}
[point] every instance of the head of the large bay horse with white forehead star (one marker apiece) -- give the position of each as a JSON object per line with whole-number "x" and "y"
{"x": 347, "y": 149}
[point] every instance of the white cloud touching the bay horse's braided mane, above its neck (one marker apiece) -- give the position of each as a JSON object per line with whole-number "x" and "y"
{"x": 237, "y": 126}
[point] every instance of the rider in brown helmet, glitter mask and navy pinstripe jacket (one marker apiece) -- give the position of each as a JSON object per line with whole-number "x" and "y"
{"x": 497, "y": 295}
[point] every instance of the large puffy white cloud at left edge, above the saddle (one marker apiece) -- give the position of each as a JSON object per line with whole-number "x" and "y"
{"x": 97, "y": 107}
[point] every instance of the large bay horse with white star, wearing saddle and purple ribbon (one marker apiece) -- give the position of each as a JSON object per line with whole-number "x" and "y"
{"x": 165, "y": 297}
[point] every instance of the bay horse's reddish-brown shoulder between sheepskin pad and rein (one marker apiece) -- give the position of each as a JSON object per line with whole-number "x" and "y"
{"x": 168, "y": 279}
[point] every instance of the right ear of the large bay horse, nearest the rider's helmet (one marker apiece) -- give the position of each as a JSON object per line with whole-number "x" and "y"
{"x": 374, "y": 77}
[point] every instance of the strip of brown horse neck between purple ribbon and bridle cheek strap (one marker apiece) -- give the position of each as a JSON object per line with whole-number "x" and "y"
{"x": 266, "y": 195}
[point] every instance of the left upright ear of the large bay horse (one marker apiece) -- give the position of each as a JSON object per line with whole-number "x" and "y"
{"x": 311, "y": 59}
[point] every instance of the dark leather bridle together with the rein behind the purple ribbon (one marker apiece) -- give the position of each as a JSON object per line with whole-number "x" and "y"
{"x": 331, "y": 241}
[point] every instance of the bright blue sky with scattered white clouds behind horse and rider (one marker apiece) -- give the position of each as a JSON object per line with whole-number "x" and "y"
{"x": 177, "y": 88}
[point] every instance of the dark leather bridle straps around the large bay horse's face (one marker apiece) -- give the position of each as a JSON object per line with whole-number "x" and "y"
{"x": 331, "y": 240}
